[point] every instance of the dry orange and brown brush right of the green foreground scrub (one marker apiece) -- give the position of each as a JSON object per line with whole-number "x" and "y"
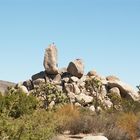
{"x": 118, "y": 125}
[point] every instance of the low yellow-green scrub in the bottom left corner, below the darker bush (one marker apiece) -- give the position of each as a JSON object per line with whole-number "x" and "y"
{"x": 39, "y": 125}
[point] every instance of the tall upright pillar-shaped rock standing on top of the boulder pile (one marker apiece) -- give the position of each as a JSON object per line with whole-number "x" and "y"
{"x": 50, "y": 60}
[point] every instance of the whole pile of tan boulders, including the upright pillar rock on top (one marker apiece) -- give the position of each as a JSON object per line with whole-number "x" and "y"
{"x": 72, "y": 82}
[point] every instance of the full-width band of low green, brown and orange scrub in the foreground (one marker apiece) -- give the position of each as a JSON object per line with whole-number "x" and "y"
{"x": 42, "y": 124}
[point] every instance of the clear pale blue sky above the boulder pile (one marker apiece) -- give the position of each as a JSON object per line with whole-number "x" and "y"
{"x": 104, "y": 33}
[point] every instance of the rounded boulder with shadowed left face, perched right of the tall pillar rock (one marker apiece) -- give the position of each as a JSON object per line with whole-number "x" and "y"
{"x": 76, "y": 68}
